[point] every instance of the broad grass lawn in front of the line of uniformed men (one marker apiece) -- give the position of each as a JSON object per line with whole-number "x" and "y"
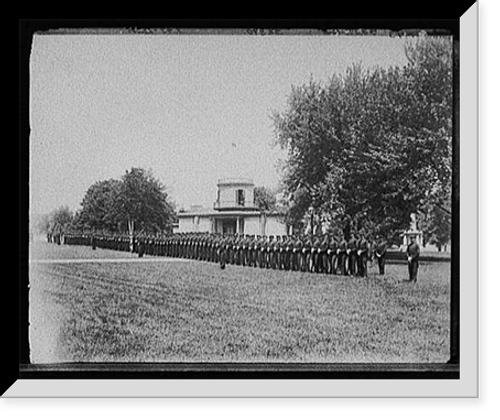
{"x": 164, "y": 310}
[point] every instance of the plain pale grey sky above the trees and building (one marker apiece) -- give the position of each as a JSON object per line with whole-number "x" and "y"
{"x": 193, "y": 108}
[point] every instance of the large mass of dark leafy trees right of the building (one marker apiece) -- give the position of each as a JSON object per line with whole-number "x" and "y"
{"x": 370, "y": 147}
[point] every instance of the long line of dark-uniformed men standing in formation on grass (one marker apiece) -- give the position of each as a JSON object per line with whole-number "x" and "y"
{"x": 328, "y": 254}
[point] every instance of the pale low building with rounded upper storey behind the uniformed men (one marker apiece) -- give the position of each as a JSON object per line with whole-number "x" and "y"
{"x": 234, "y": 211}
